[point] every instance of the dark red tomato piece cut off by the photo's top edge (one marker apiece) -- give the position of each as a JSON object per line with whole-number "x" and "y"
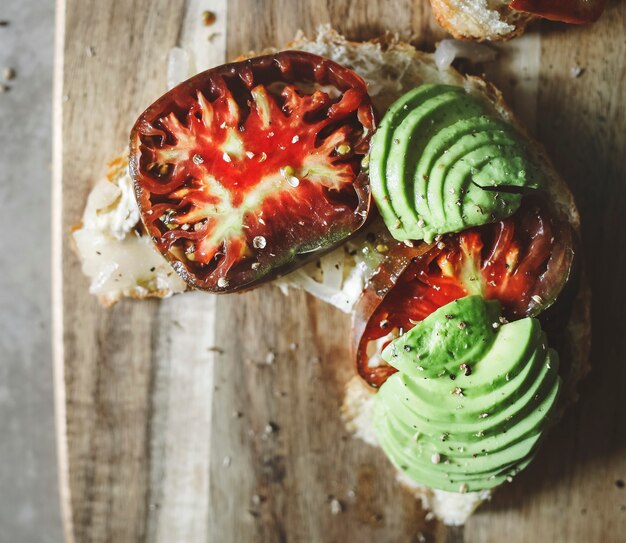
{"x": 567, "y": 11}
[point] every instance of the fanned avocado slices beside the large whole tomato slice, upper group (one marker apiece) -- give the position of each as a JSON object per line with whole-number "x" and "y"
{"x": 428, "y": 177}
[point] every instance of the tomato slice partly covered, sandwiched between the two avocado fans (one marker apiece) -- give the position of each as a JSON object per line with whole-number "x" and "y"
{"x": 523, "y": 261}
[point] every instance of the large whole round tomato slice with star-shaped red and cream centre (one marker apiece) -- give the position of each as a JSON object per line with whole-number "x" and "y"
{"x": 244, "y": 168}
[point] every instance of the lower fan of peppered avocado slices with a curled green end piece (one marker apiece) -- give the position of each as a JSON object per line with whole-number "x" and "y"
{"x": 445, "y": 426}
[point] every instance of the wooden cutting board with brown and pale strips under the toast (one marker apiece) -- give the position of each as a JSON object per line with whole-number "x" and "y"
{"x": 163, "y": 408}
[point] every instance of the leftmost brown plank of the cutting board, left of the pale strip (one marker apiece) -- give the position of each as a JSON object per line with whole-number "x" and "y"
{"x": 113, "y": 67}
